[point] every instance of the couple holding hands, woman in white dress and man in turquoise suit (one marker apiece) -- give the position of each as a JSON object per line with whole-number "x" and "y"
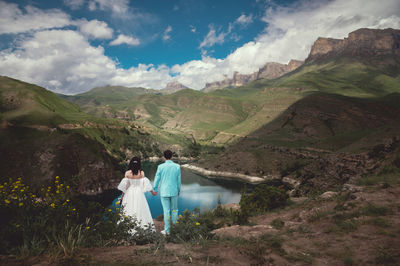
{"x": 167, "y": 181}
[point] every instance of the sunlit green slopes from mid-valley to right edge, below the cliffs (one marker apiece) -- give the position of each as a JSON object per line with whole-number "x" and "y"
{"x": 224, "y": 116}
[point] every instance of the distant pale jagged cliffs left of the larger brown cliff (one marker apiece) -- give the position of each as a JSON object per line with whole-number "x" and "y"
{"x": 268, "y": 71}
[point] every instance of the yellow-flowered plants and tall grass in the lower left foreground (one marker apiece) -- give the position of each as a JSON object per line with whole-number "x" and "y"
{"x": 52, "y": 220}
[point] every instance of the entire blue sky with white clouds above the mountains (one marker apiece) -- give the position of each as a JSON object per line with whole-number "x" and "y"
{"x": 72, "y": 46}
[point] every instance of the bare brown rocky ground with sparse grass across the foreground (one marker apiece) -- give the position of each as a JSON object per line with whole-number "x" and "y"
{"x": 356, "y": 226}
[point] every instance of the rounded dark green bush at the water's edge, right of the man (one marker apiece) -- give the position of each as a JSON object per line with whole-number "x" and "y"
{"x": 264, "y": 198}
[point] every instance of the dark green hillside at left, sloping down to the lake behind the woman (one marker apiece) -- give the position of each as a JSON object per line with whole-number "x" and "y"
{"x": 44, "y": 136}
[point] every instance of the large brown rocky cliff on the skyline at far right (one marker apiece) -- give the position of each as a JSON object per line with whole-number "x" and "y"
{"x": 360, "y": 43}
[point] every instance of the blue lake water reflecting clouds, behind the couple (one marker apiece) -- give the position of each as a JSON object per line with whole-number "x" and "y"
{"x": 196, "y": 191}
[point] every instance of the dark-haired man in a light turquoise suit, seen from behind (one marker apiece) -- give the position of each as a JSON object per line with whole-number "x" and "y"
{"x": 168, "y": 176}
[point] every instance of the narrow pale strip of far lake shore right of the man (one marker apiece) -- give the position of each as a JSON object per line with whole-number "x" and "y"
{"x": 226, "y": 175}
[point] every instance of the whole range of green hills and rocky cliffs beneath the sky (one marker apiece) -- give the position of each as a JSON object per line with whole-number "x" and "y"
{"x": 315, "y": 124}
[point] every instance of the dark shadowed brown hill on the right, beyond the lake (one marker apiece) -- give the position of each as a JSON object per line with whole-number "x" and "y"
{"x": 320, "y": 142}
